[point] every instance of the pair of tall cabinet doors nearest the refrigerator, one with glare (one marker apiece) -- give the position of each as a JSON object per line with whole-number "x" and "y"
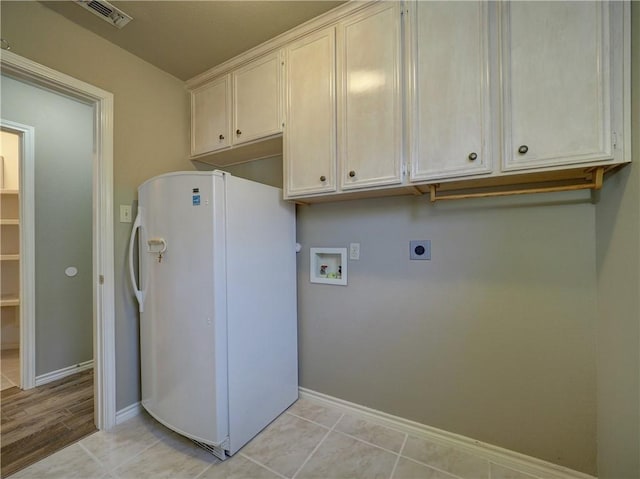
{"x": 344, "y": 105}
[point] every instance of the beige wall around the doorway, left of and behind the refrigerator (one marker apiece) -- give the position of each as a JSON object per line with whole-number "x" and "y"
{"x": 151, "y": 136}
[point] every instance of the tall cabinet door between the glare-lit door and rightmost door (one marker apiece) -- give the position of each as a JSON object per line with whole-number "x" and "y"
{"x": 449, "y": 123}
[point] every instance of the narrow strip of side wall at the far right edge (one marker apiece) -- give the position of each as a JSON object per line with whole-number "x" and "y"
{"x": 618, "y": 262}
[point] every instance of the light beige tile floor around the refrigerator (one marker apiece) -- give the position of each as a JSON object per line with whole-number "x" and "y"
{"x": 308, "y": 441}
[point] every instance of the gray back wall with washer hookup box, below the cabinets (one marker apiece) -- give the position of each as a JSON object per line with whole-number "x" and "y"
{"x": 494, "y": 338}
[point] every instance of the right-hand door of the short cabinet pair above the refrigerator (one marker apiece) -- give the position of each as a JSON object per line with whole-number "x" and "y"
{"x": 257, "y": 99}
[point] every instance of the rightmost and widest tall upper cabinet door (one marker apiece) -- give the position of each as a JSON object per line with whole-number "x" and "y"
{"x": 556, "y": 86}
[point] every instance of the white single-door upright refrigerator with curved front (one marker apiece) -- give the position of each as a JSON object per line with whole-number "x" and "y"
{"x": 216, "y": 288}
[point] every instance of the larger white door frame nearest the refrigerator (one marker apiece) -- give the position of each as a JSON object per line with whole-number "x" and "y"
{"x": 102, "y": 225}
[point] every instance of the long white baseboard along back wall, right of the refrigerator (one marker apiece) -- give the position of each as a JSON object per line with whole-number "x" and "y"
{"x": 494, "y": 454}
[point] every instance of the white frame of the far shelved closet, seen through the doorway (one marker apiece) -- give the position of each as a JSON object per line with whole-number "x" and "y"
{"x": 27, "y": 250}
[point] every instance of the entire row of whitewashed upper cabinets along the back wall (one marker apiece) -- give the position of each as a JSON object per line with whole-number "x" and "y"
{"x": 453, "y": 94}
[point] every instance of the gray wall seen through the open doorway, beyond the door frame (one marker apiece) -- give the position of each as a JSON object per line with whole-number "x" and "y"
{"x": 63, "y": 184}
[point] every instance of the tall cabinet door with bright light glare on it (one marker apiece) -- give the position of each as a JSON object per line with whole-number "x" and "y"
{"x": 369, "y": 118}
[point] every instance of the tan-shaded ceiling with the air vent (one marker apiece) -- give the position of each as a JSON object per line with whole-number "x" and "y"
{"x": 186, "y": 38}
